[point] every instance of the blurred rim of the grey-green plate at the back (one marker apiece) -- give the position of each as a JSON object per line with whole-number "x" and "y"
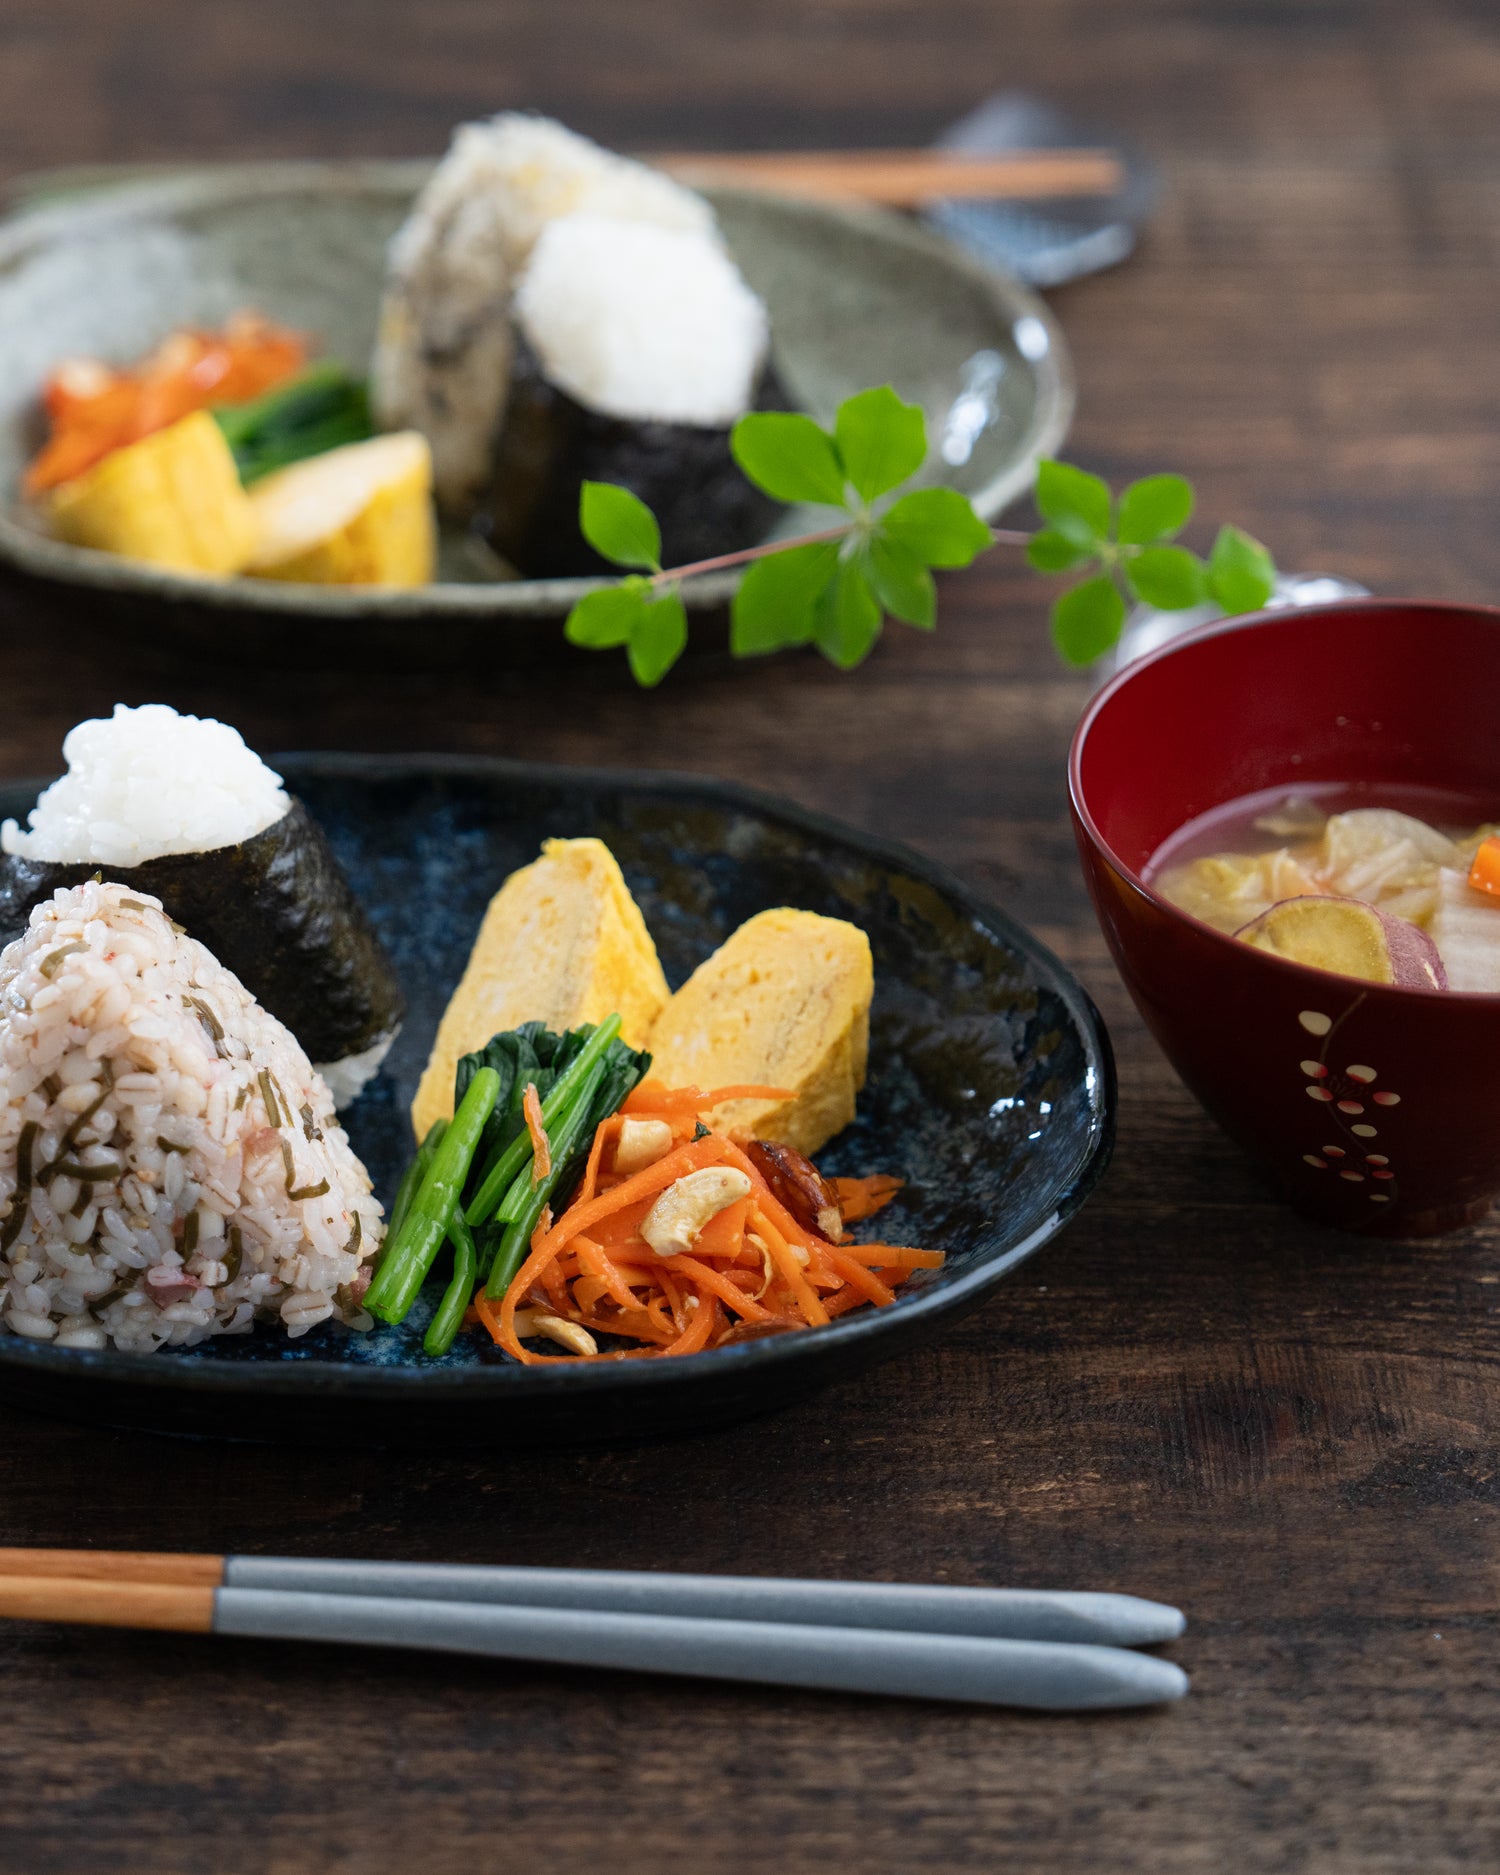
{"x": 106, "y": 203}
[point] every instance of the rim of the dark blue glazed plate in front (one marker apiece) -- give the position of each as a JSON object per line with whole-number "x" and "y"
{"x": 202, "y": 1375}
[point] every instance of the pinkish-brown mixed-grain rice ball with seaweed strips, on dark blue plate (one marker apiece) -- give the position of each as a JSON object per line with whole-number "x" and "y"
{"x": 170, "y": 1162}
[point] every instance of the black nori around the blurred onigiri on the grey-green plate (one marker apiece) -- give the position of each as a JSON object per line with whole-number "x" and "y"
{"x": 550, "y": 445}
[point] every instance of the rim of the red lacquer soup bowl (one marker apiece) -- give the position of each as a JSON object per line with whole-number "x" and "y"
{"x": 1105, "y": 697}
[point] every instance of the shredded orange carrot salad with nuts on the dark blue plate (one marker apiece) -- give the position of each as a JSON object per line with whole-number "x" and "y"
{"x": 753, "y": 1268}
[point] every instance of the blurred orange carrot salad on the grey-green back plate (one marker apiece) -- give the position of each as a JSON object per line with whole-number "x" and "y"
{"x": 95, "y": 410}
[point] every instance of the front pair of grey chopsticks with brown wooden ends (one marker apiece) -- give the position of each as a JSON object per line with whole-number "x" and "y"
{"x": 998, "y": 1647}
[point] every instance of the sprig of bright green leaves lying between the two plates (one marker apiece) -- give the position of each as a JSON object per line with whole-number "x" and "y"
{"x": 835, "y": 588}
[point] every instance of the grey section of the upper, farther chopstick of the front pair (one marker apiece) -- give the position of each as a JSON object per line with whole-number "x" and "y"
{"x": 995, "y": 1613}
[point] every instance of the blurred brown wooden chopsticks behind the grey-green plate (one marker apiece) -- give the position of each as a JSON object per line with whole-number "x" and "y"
{"x": 907, "y": 179}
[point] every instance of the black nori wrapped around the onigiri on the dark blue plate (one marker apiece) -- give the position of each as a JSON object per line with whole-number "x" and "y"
{"x": 278, "y": 912}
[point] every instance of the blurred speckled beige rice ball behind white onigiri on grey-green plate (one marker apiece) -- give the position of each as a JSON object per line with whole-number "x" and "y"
{"x": 445, "y": 344}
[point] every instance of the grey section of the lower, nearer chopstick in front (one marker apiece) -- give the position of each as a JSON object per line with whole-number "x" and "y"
{"x": 1038, "y": 1675}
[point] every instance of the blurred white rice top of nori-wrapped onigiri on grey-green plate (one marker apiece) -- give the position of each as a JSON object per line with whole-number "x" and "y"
{"x": 646, "y": 323}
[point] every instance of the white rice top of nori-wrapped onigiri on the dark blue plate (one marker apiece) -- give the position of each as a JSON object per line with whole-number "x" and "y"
{"x": 145, "y": 783}
